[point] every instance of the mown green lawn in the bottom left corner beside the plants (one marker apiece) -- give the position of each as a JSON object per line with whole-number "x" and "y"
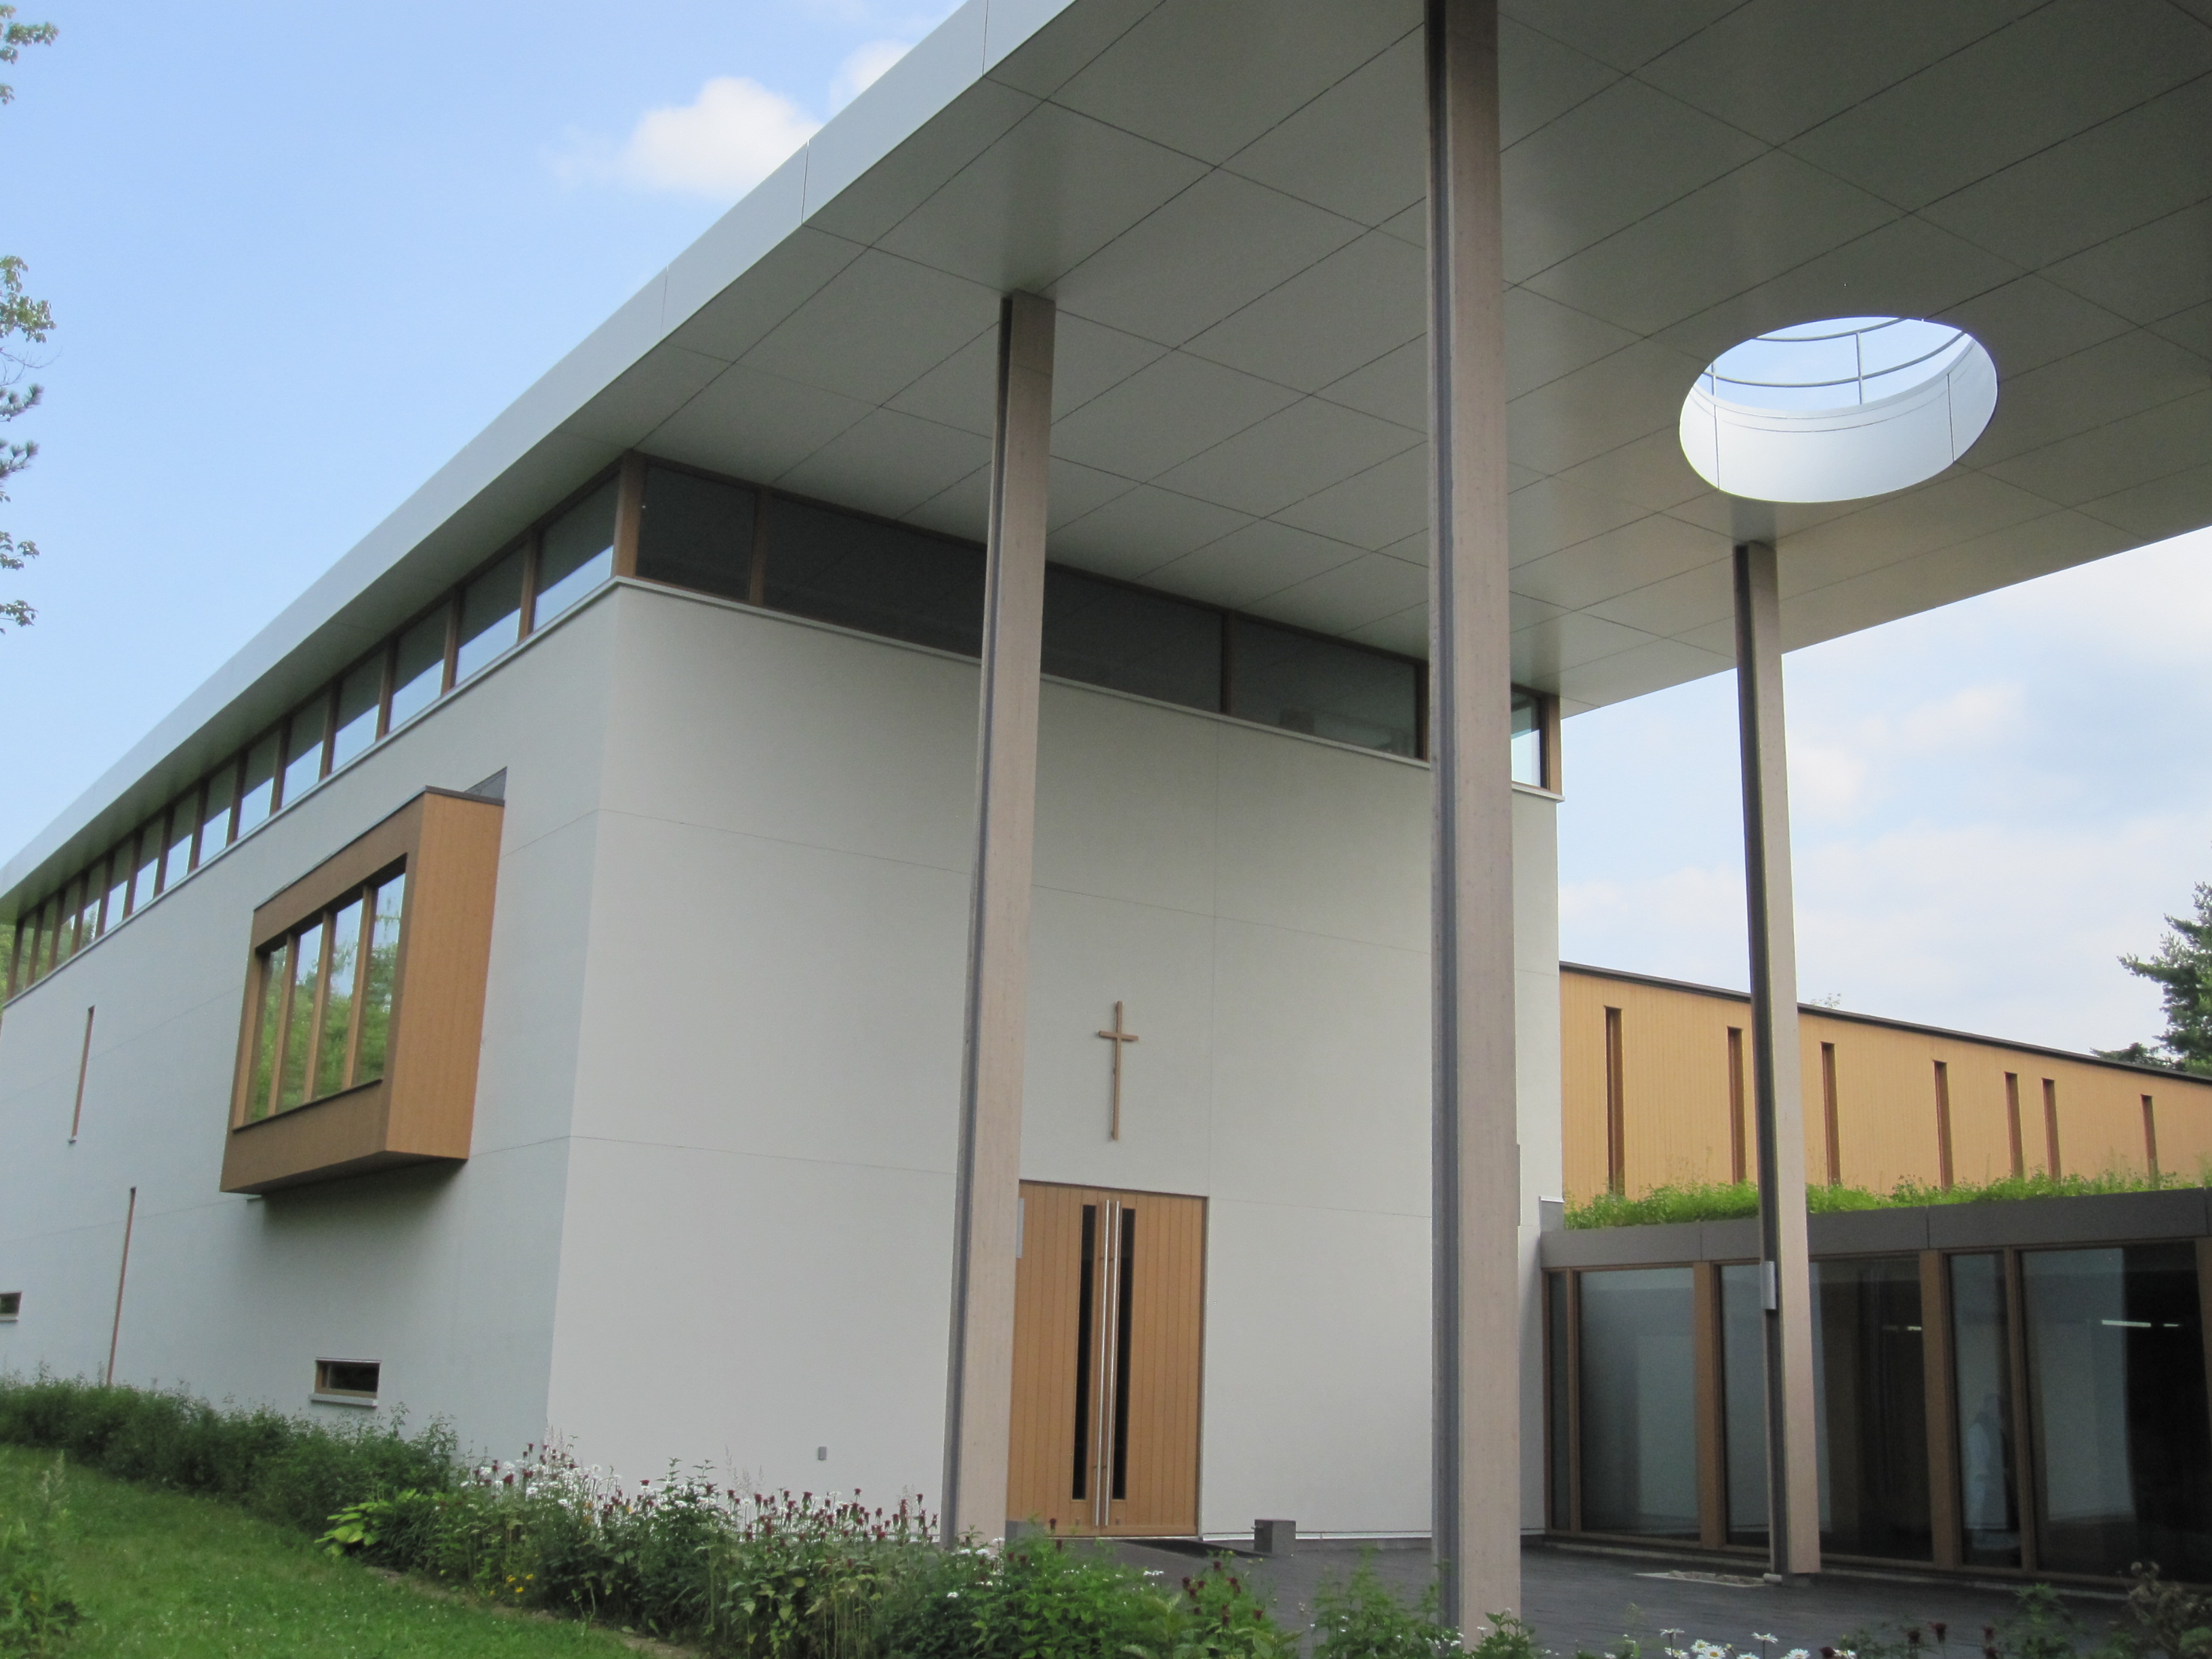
{"x": 191, "y": 1578}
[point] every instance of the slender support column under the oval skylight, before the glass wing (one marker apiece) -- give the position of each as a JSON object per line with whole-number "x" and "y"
{"x": 1777, "y": 1083}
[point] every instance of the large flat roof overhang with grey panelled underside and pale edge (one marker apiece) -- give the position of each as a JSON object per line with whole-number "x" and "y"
{"x": 1227, "y": 200}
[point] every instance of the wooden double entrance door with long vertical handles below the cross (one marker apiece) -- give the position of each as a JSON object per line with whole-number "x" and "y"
{"x": 1107, "y": 1317}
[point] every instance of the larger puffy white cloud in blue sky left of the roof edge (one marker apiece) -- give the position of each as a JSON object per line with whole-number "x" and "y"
{"x": 720, "y": 145}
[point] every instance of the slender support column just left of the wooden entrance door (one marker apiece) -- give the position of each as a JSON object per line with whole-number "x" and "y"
{"x": 979, "y": 1388}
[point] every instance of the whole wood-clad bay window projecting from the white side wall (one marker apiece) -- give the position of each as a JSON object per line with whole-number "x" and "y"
{"x": 364, "y": 1003}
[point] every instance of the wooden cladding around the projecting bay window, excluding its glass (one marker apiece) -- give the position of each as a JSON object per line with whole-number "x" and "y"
{"x": 424, "y": 1107}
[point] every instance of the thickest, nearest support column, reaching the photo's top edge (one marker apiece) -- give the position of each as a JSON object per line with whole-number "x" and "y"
{"x": 1477, "y": 1160}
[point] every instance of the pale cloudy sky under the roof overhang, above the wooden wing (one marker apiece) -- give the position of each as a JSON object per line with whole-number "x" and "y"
{"x": 1992, "y": 802}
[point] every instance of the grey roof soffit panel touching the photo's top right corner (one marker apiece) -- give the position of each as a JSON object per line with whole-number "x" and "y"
{"x": 2065, "y": 67}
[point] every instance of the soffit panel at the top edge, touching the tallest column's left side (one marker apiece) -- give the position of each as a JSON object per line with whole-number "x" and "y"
{"x": 1211, "y": 76}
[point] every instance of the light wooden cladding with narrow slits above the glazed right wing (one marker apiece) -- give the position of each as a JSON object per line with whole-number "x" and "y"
{"x": 1676, "y": 1098}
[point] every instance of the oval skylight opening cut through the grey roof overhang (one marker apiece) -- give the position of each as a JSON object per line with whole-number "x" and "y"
{"x": 1839, "y": 410}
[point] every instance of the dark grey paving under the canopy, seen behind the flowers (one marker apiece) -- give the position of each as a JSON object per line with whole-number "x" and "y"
{"x": 1592, "y": 1600}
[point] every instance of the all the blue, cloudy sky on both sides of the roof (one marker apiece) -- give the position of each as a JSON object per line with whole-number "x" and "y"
{"x": 300, "y": 255}
